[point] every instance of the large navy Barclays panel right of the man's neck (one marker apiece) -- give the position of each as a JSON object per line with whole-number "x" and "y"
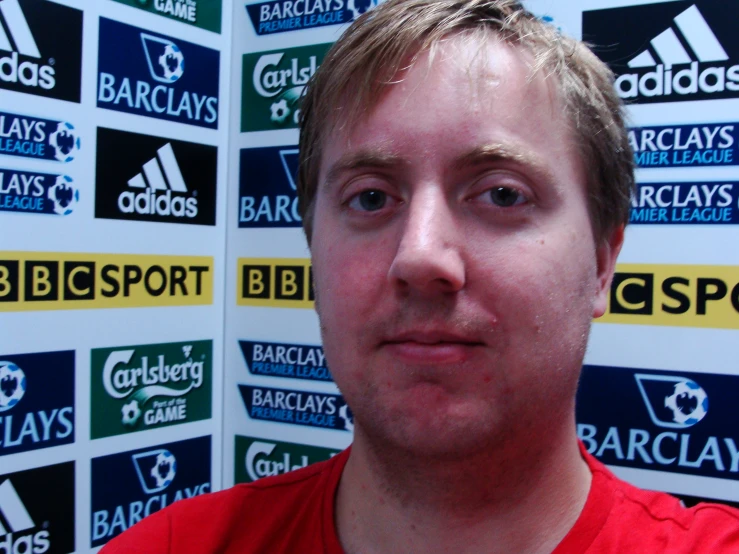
{"x": 660, "y": 421}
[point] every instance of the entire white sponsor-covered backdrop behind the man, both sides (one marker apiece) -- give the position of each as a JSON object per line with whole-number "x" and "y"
{"x": 155, "y": 288}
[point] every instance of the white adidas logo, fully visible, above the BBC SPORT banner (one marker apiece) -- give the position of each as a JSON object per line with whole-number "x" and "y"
{"x": 161, "y": 176}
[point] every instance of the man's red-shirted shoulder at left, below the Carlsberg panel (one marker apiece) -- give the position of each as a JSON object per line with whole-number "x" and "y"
{"x": 245, "y": 513}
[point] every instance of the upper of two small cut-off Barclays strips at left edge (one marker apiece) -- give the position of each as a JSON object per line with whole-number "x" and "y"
{"x": 41, "y": 139}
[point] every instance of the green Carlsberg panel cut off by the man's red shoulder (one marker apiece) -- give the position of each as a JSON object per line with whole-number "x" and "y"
{"x": 256, "y": 458}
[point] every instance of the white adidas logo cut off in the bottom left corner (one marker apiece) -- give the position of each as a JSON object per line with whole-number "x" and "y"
{"x": 14, "y": 520}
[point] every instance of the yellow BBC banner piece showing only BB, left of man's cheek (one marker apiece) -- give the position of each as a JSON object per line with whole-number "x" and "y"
{"x": 275, "y": 282}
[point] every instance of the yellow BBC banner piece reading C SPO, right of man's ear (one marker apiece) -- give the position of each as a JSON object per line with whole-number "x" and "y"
{"x": 675, "y": 295}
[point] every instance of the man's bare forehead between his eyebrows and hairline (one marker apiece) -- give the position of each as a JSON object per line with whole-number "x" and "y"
{"x": 463, "y": 92}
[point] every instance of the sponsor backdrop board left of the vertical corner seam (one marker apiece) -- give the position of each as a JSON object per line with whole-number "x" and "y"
{"x": 114, "y": 139}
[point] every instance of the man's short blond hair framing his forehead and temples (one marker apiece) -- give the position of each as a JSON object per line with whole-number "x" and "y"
{"x": 350, "y": 81}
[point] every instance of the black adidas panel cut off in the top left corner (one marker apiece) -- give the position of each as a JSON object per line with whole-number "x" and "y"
{"x": 40, "y": 48}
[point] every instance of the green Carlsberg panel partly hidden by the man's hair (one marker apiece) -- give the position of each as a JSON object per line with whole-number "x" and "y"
{"x": 272, "y": 85}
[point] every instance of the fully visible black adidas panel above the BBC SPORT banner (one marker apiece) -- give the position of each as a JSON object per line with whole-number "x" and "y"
{"x": 154, "y": 179}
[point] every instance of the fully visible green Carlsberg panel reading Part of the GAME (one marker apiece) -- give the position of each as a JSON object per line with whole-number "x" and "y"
{"x": 135, "y": 388}
